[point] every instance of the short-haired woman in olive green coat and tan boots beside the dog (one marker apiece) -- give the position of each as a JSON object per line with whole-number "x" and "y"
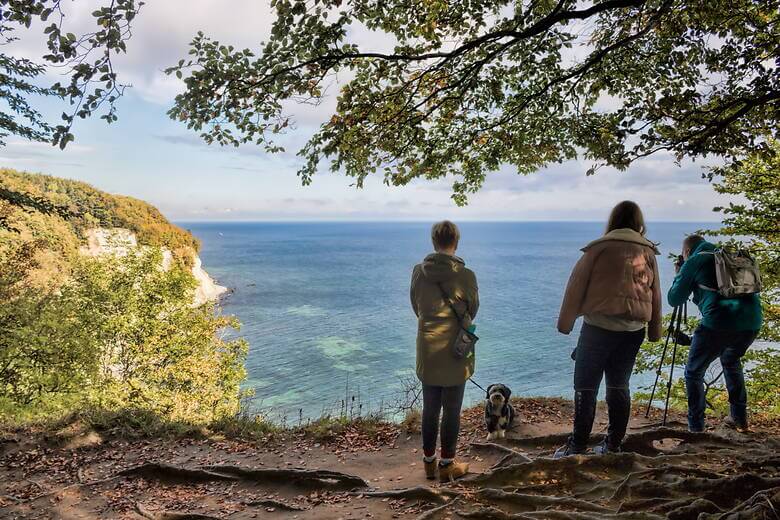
{"x": 442, "y": 278}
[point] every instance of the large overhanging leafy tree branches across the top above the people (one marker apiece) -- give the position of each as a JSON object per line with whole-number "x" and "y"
{"x": 465, "y": 87}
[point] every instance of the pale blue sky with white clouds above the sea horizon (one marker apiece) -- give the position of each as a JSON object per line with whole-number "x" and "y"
{"x": 148, "y": 156}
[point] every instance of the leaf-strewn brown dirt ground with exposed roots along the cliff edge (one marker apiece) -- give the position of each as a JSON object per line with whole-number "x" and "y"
{"x": 358, "y": 474}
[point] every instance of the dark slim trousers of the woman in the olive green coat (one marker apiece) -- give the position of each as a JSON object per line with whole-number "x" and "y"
{"x": 438, "y": 399}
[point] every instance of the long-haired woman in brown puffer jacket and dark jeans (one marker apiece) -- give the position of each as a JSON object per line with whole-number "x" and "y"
{"x": 615, "y": 286}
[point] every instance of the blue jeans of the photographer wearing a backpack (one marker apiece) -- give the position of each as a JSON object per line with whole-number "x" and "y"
{"x": 706, "y": 346}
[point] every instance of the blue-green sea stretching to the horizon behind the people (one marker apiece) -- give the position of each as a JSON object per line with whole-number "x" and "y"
{"x": 325, "y": 306}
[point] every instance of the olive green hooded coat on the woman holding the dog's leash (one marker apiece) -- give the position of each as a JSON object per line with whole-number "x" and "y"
{"x": 437, "y": 324}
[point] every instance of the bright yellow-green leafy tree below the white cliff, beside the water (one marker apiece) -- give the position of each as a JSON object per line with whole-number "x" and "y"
{"x": 157, "y": 351}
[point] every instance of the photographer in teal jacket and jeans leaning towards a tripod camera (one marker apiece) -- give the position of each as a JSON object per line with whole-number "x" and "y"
{"x": 727, "y": 329}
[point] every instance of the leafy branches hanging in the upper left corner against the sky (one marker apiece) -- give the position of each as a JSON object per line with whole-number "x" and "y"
{"x": 86, "y": 60}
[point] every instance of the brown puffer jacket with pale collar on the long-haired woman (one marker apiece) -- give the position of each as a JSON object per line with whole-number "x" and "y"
{"x": 617, "y": 276}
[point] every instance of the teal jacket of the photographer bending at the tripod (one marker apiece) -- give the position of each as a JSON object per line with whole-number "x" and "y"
{"x": 718, "y": 313}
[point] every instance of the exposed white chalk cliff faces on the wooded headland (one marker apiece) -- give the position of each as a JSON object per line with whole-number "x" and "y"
{"x": 118, "y": 241}
